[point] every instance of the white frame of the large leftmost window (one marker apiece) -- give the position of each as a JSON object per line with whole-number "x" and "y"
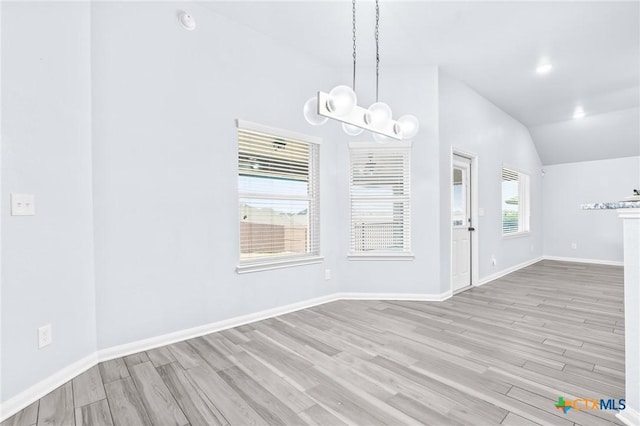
{"x": 313, "y": 196}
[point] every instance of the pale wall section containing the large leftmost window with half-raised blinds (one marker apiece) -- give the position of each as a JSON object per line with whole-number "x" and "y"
{"x": 165, "y": 102}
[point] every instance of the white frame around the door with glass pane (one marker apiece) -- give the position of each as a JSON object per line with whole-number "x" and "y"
{"x": 474, "y": 216}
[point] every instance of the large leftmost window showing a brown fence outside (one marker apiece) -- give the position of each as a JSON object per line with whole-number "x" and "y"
{"x": 278, "y": 198}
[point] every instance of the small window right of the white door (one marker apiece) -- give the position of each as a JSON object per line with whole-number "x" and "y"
{"x": 515, "y": 202}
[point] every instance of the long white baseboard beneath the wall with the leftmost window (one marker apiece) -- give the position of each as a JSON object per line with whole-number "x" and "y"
{"x": 190, "y": 333}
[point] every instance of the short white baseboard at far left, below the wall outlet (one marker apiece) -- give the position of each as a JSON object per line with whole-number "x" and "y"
{"x": 37, "y": 391}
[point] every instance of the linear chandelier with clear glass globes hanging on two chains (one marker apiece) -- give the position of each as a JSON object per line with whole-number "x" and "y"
{"x": 341, "y": 104}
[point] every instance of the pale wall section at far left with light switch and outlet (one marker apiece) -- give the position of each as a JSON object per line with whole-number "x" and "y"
{"x": 47, "y": 259}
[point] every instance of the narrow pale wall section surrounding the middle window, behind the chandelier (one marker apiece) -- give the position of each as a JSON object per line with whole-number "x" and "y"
{"x": 407, "y": 91}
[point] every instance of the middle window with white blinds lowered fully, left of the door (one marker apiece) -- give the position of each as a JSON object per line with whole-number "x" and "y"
{"x": 380, "y": 182}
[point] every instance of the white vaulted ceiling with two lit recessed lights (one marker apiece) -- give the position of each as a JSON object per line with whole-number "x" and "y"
{"x": 494, "y": 47}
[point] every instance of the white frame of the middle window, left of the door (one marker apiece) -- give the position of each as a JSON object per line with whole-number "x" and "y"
{"x": 365, "y": 148}
